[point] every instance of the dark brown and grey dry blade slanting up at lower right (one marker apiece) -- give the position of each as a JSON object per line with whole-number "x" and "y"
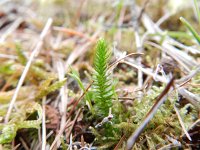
{"x": 159, "y": 101}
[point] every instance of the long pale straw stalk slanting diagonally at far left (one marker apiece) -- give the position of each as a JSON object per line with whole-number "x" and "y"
{"x": 26, "y": 69}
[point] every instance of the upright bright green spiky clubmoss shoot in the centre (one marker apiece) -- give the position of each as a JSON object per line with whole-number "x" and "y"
{"x": 102, "y": 81}
